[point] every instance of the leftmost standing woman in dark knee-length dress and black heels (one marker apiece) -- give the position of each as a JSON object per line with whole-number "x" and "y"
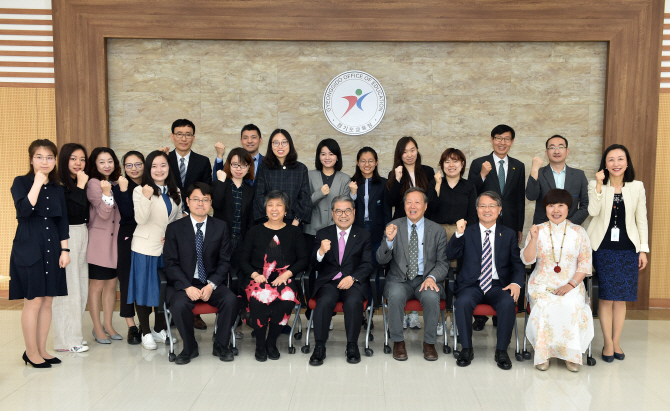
{"x": 40, "y": 250}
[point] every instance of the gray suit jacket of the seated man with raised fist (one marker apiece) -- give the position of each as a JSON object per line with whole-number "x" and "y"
{"x": 435, "y": 261}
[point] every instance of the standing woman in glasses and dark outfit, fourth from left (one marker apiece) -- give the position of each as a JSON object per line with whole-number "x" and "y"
{"x": 133, "y": 163}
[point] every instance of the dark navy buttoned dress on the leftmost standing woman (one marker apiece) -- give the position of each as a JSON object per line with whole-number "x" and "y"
{"x": 33, "y": 264}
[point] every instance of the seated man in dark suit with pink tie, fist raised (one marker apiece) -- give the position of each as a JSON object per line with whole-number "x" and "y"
{"x": 342, "y": 256}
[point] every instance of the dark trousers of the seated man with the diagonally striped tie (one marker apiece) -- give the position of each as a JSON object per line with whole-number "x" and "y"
{"x": 501, "y": 301}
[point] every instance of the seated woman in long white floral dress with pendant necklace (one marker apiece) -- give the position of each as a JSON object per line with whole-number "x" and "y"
{"x": 560, "y": 323}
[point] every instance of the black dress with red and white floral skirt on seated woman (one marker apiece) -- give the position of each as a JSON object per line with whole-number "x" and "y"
{"x": 271, "y": 253}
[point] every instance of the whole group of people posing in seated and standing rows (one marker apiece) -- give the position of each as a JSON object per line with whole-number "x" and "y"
{"x": 84, "y": 225}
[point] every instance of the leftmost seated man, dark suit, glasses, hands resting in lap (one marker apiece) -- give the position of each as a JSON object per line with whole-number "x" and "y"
{"x": 196, "y": 271}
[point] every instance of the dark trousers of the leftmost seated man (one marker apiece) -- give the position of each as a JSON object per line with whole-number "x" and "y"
{"x": 225, "y": 301}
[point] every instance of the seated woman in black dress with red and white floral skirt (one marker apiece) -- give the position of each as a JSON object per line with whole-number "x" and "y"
{"x": 271, "y": 253}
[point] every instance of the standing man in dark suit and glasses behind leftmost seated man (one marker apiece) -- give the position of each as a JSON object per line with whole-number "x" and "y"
{"x": 187, "y": 167}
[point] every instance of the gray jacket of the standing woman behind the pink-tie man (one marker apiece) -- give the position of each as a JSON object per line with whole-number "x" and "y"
{"x": 321, "y": 215}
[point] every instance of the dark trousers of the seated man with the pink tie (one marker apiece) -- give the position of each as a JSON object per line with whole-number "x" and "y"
{"x": 352, "y": 303}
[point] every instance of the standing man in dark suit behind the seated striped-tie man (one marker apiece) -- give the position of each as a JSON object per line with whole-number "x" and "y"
{"x": 505, "y": 176}
